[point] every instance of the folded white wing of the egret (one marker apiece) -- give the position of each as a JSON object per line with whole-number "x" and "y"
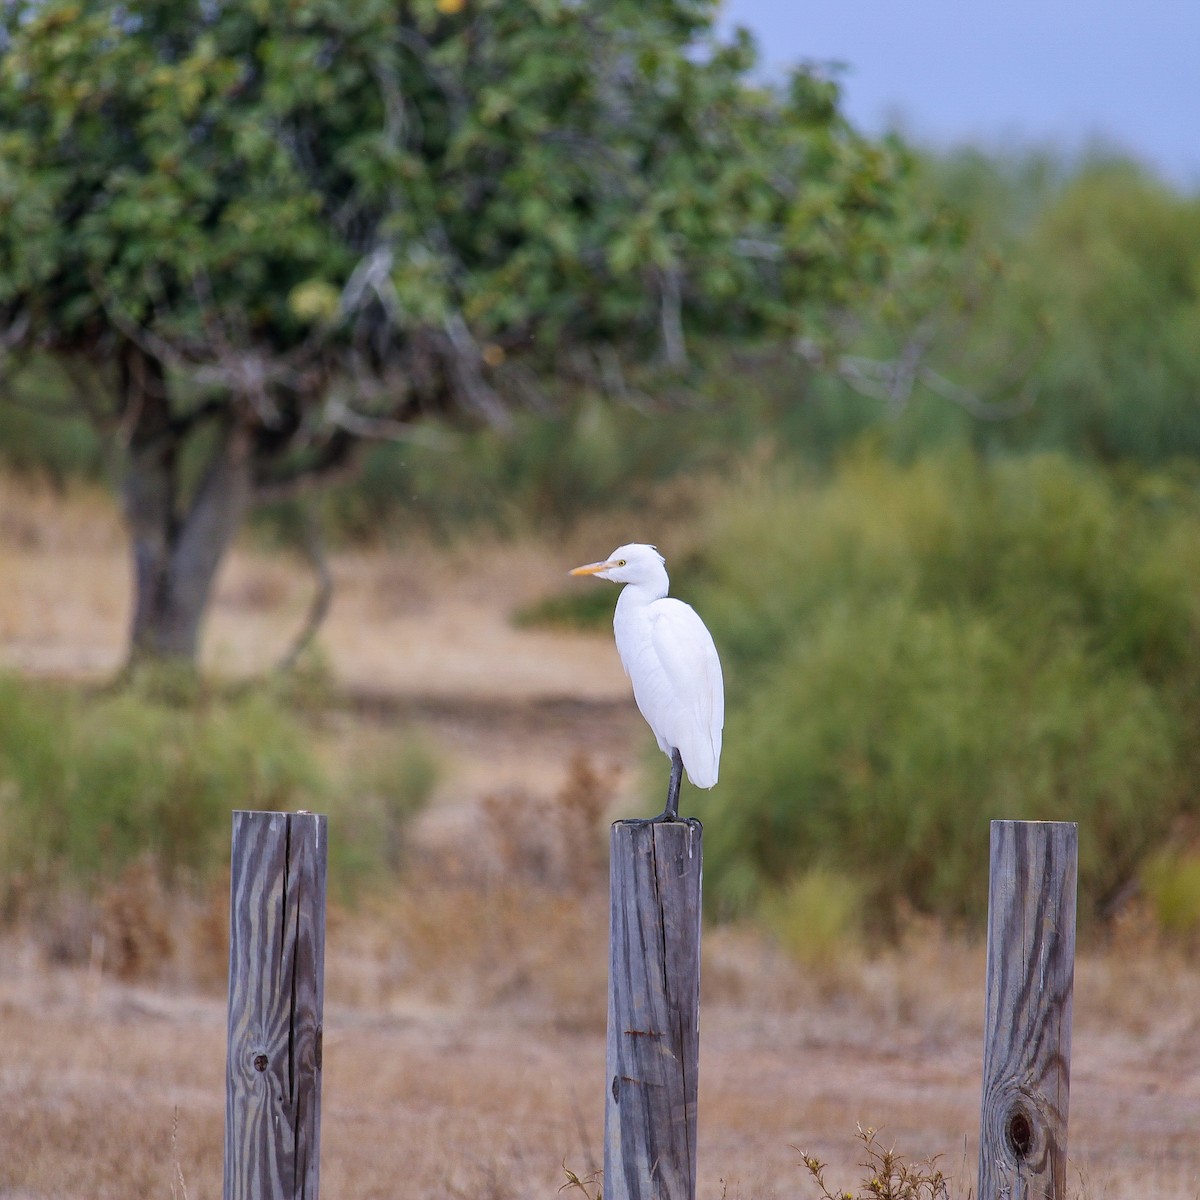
{"x": 694, "y": 712}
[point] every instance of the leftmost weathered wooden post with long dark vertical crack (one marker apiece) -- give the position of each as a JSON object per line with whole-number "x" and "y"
{"x": 277, "y": 998}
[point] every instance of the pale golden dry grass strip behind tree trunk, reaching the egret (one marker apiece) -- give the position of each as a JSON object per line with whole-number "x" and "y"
{"x": 431, "y": 623}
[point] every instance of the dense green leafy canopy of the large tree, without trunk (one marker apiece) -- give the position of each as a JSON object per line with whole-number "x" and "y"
{"x": 303, "y": 173}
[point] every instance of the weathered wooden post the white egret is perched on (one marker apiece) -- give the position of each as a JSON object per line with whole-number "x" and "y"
{"x": 653, "y": 1012}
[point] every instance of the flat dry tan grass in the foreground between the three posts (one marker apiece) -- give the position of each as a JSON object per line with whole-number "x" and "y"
{"x": 464, "y": 1088}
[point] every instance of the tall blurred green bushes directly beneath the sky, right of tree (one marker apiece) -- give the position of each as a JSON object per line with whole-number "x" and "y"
{"x": 1043, "y": 307}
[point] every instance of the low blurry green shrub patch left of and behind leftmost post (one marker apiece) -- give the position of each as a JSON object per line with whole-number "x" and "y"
{"x": 87, "y": 789}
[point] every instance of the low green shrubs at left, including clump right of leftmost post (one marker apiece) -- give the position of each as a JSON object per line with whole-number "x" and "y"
{"x": 89, "y": 785}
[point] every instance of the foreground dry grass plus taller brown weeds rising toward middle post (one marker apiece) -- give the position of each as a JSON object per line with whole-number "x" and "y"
{"x": 465, "y": 1043}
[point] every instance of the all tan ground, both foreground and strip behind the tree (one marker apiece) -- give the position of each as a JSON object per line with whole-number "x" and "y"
{"x": 488, "y": 1084}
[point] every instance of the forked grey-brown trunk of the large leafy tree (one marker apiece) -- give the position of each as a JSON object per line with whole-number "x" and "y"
{"x": 177, "y": 548}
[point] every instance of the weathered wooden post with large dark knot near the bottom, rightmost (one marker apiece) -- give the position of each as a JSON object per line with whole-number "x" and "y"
{"x": 1031, "y": 967}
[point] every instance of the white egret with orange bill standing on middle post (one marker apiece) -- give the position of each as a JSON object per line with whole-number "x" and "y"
{"x": 671, "y": 661}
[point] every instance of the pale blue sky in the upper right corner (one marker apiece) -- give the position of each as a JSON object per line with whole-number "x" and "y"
{"x": 997, "y": 71}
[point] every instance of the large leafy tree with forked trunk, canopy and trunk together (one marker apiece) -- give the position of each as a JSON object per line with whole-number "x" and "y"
{"x": 259, "y": 235}
